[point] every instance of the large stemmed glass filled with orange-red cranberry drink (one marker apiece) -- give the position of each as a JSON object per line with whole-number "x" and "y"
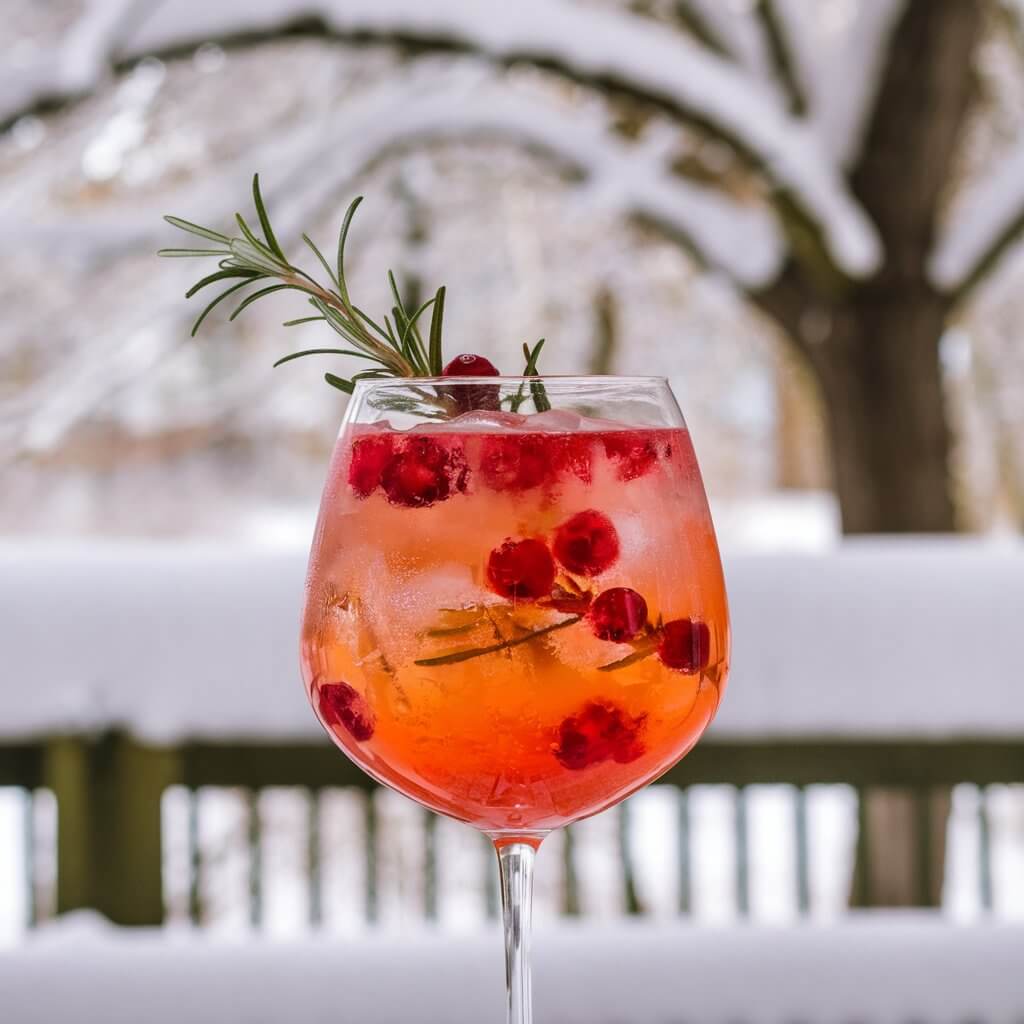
{"x": 516, "y": 612}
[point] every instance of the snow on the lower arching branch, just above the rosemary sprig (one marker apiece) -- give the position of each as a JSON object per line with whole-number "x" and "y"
{"x": 743, "y": 241}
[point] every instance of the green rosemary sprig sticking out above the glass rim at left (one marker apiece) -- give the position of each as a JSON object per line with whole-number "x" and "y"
{"x": 398, "y": 349}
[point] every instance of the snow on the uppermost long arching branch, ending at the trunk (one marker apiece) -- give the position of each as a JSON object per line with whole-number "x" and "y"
{"x": 589, "y": 45}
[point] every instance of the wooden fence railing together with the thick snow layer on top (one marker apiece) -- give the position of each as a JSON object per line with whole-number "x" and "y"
{"x": 129, "y": 671}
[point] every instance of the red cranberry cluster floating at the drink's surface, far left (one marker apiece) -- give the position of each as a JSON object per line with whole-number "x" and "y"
{"x": 413, "y": 473}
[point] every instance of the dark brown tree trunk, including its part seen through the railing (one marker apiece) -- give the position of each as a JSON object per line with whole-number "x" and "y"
{"x": 875, "y": 350}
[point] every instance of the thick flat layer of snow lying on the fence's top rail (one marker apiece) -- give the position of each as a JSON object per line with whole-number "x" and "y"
{"x": 911, "y": 639}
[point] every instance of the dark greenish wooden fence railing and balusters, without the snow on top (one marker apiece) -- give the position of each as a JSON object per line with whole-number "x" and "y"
{"x": 109, "y": 795}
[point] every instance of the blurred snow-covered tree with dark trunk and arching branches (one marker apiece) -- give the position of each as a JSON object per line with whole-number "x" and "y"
{"x": 847, "y": 119}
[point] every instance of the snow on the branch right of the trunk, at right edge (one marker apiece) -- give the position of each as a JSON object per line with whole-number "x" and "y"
{"x": 980, "y": 218}
